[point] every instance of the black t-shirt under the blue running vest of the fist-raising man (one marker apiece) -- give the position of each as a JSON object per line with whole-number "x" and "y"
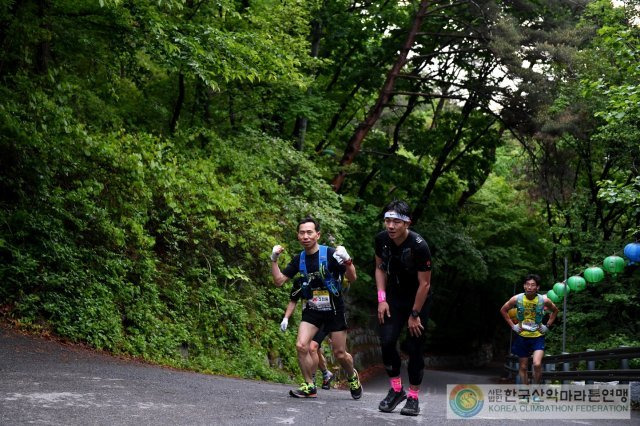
{"x": 316, "y": 282}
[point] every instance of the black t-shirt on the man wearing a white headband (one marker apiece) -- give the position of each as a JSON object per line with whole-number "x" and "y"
{"x": 402, "y": 263}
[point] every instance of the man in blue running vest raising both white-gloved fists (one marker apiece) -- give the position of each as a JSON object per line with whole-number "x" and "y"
{"x": 322, "y": 268}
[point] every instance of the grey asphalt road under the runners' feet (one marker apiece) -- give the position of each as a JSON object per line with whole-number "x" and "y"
{"x": 47, "y": 382}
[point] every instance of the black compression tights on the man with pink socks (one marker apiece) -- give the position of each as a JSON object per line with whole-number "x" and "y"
{"x": 389, "y": 334}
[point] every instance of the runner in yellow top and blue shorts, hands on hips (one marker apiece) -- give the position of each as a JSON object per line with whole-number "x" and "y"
{"x": 530, "y": 331}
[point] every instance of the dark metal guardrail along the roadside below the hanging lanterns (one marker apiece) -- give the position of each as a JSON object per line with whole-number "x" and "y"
{"x": 550, "y": 362}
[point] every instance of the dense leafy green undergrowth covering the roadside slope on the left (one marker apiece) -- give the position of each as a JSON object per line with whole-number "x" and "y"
{"x": 143, "y": 245}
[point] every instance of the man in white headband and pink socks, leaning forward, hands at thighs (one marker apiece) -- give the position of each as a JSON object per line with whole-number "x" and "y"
{"x": 403, "y": 279}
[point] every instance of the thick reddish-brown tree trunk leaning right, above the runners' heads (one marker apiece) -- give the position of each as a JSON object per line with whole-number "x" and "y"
{"x": 355, "y": 143}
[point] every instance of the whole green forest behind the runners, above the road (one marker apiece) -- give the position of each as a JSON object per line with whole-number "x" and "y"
{"x": 152, "y": 153}
